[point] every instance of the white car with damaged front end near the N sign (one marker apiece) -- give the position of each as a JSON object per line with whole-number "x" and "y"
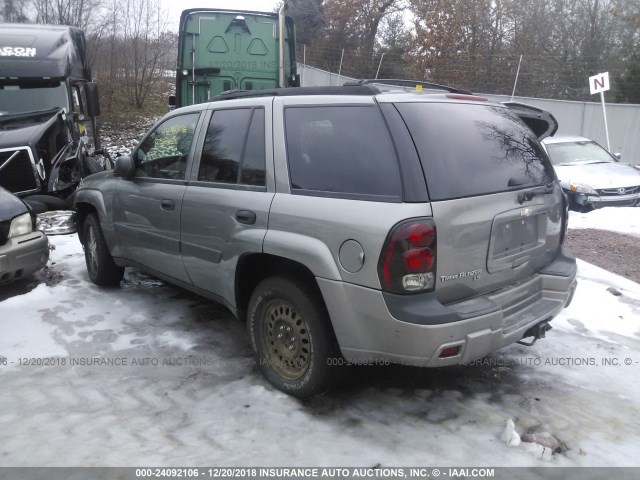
{"x": 590, "y": 175}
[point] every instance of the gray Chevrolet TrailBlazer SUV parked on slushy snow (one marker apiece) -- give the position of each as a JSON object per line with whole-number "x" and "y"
{"x": 344, "y": 224}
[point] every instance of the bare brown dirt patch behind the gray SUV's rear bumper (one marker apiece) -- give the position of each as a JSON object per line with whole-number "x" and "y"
{"x": 615, "y": 252}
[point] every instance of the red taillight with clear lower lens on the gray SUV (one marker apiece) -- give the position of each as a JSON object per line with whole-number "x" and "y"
{"x": 408, "y": 259}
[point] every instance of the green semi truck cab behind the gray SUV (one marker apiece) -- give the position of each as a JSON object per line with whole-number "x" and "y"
{"x": 222, "y": 50}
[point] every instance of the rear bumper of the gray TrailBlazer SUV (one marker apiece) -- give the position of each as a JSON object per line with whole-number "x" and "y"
{"x": 368, "y": 332}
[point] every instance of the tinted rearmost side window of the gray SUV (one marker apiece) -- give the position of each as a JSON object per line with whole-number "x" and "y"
{"x": 341, "y": 151}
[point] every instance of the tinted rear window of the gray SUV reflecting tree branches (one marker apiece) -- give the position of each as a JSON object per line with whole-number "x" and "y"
{"x": 469, "y": 150}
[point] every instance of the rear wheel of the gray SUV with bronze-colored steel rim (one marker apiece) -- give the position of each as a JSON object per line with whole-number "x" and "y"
{"x": 292, "y": 338}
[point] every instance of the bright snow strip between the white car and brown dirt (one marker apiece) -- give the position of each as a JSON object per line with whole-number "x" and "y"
{"x": 616, "y": 219}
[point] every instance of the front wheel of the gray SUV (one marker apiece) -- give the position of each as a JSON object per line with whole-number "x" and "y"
{"x": 102, "y": 269}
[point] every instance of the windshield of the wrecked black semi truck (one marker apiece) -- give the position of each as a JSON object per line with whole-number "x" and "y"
{"x": 20, "y": 98}
